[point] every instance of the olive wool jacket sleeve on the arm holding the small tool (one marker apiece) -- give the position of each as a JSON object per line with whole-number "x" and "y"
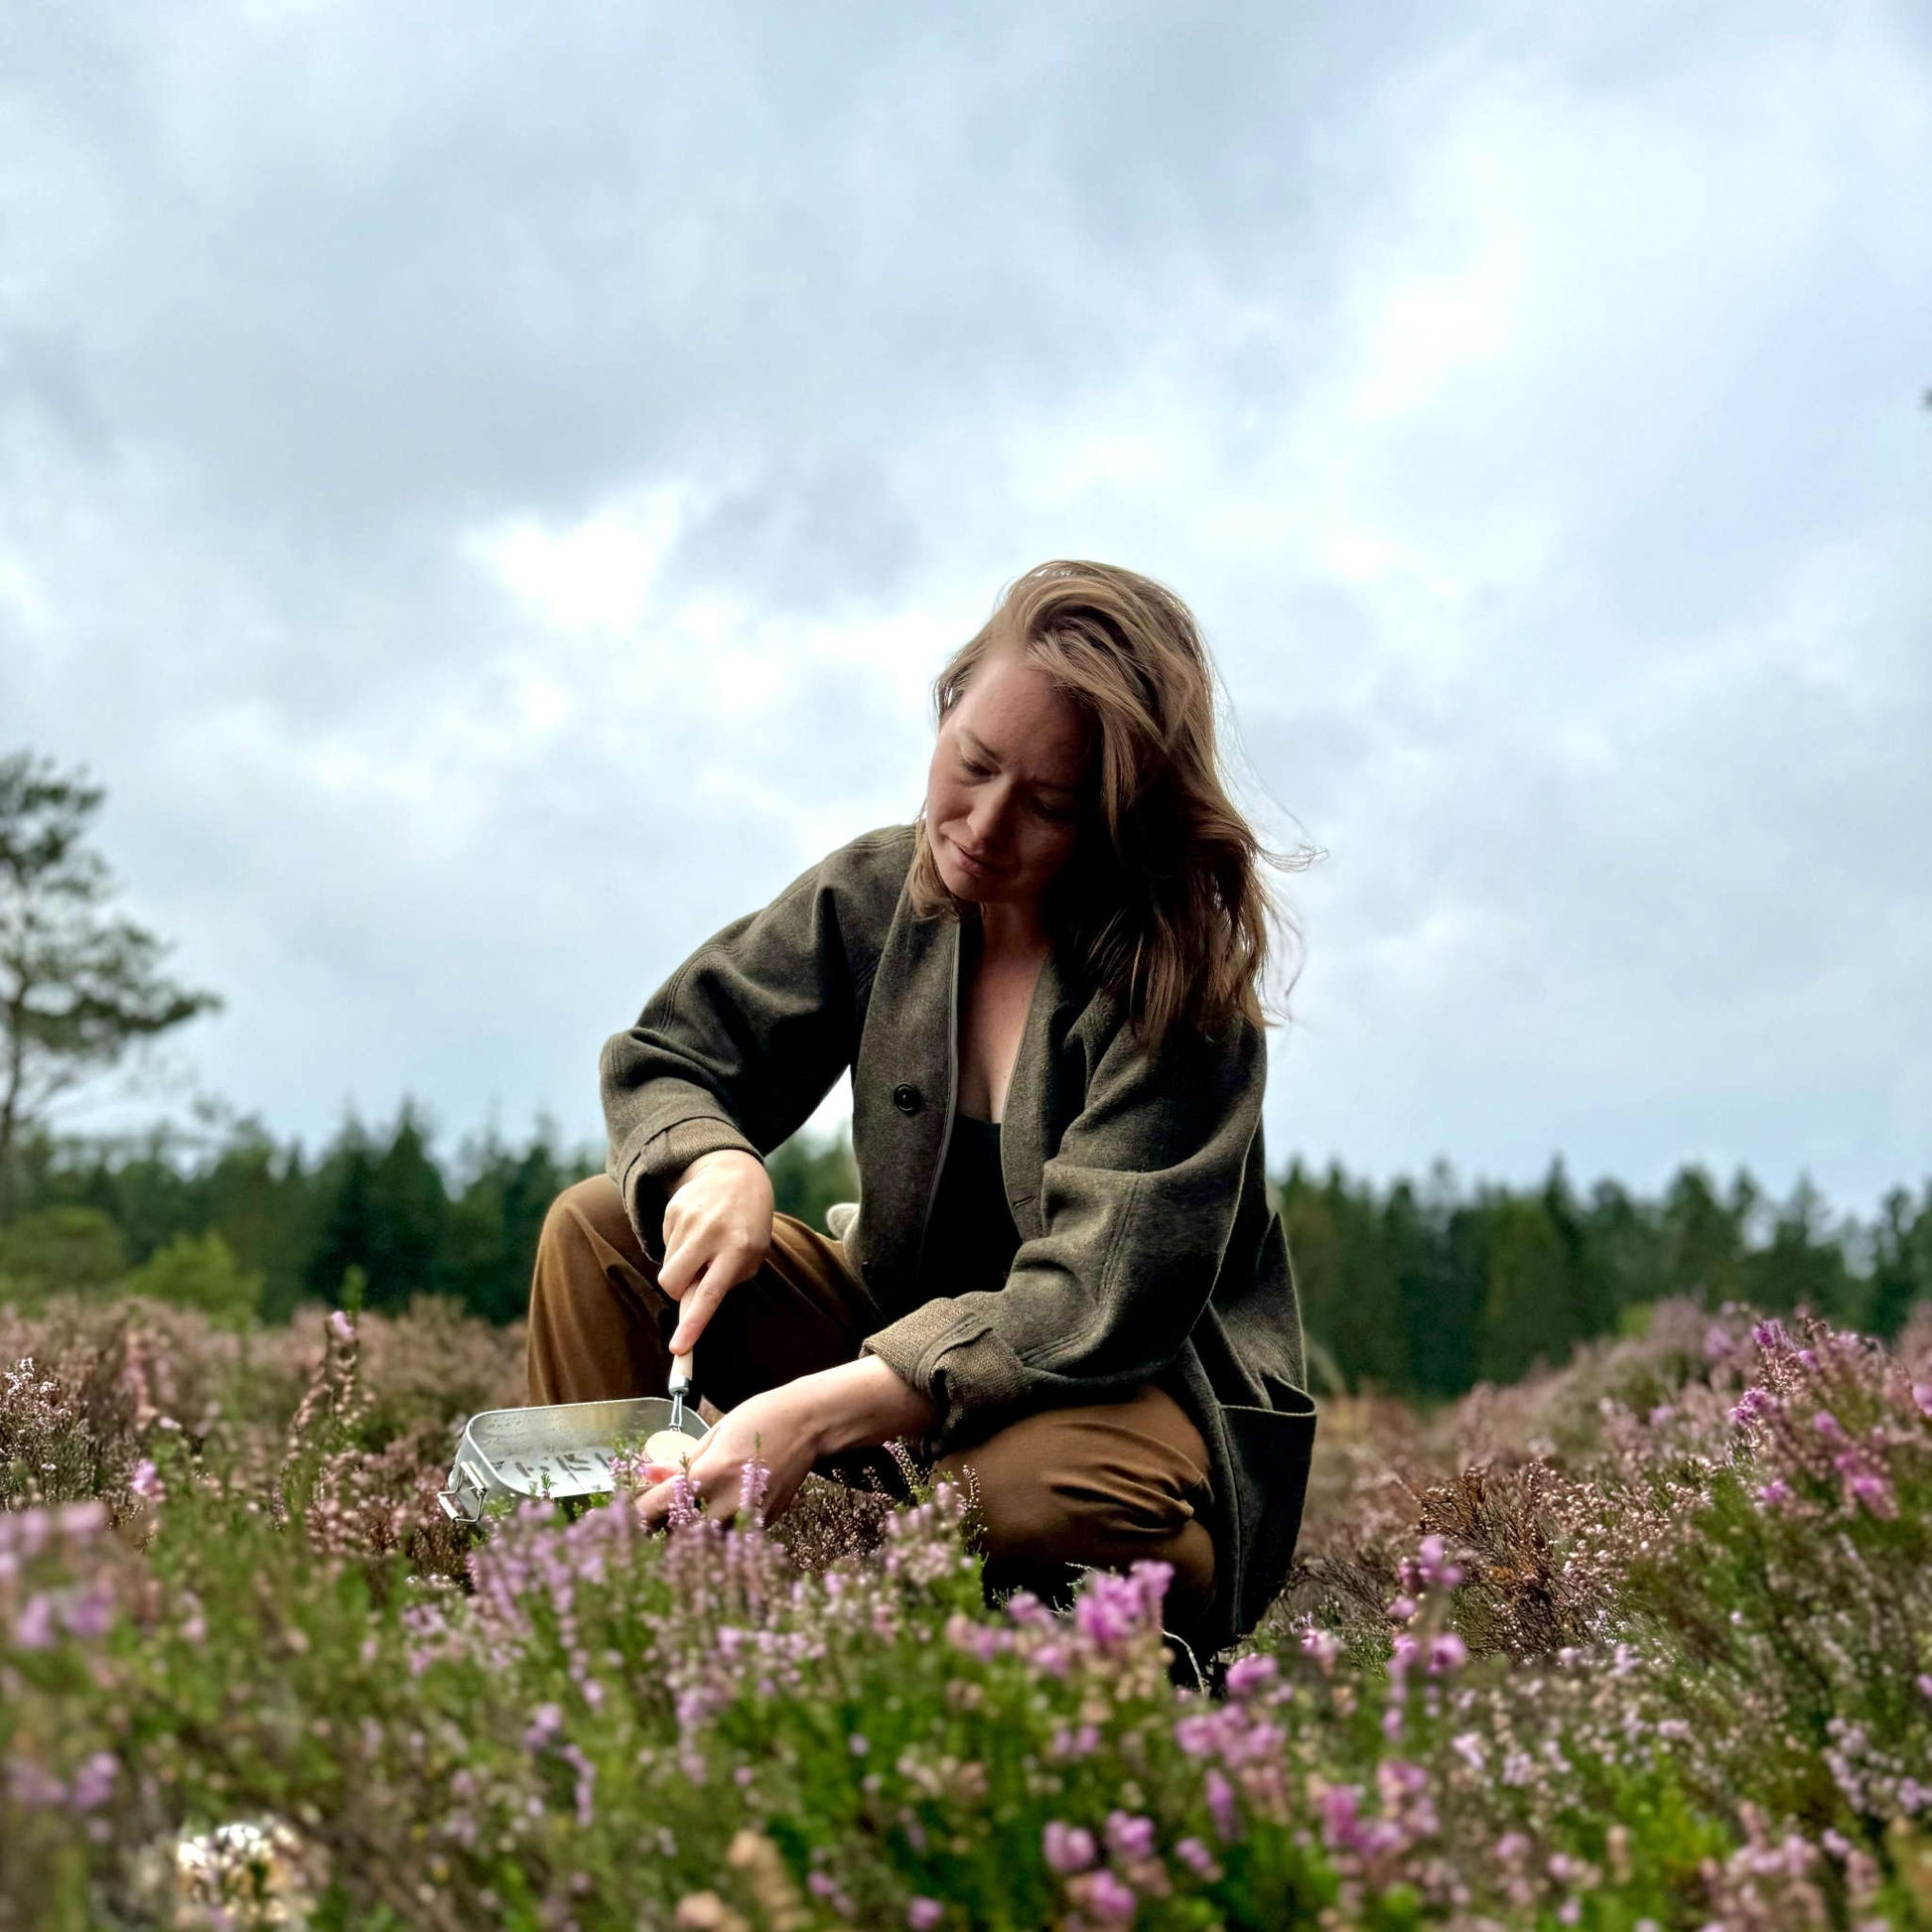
{"x": 739, "y": 1046}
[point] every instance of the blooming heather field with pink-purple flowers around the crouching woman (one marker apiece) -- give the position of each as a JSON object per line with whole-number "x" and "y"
{"x": 1643, "y": 1643}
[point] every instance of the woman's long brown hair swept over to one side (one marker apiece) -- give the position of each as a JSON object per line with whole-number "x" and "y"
{"x": 1164, "y": 897}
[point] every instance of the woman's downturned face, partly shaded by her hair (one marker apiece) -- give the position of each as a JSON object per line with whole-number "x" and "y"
{"x": 1008, "y": 785}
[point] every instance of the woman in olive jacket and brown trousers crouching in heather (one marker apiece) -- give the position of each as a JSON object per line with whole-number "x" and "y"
{"x": 1065, "y": 1274}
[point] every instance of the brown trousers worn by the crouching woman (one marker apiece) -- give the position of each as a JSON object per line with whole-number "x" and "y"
{"x": 1104, "y": 1485}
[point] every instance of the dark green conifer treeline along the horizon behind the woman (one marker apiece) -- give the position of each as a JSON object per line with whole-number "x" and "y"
{"x": 1411, "y": 1290}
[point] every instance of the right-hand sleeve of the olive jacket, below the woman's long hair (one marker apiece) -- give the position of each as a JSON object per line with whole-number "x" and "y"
{"x": 1139, "y": 1207}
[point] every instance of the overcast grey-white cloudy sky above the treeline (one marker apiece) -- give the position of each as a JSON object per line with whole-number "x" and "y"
{"x": 488, "y": 486}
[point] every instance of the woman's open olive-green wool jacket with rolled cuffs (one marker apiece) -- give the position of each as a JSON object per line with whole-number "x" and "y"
{"x": 1149, "y": 1251}
